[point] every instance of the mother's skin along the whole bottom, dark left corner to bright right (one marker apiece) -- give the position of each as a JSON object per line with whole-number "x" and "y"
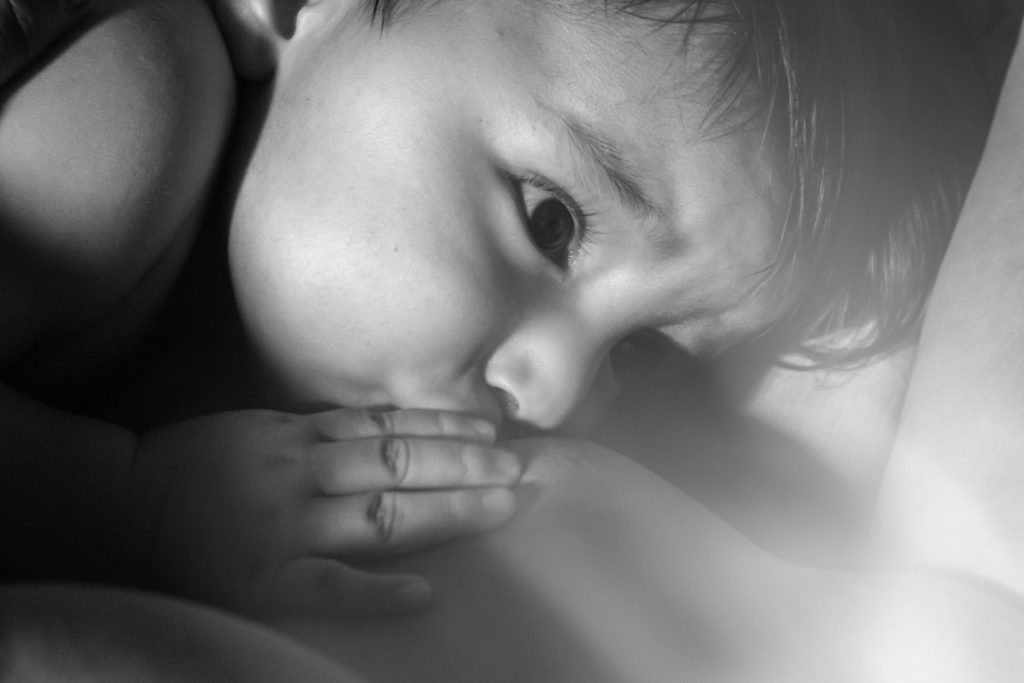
{"x": 609, "y": 574}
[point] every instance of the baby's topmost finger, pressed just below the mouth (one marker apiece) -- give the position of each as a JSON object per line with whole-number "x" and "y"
{"x": 346, "y": 424}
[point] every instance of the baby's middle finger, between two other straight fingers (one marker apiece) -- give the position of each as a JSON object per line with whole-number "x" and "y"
{"x": 376, "y": 464}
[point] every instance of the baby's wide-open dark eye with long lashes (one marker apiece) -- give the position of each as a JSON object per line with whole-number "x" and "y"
{"x": 554, "y": 222}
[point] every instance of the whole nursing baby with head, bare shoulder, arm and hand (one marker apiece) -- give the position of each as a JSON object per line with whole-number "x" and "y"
{"x": 445, "y": 217}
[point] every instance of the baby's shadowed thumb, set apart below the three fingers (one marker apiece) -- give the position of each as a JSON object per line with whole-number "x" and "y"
{"x": 321, "y": 587}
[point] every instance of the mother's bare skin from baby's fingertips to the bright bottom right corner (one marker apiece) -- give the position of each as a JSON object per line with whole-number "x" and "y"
{"x": 611, "y": 575}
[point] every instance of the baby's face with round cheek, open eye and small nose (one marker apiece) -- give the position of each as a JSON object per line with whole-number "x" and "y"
{"x": 471, "y": 210}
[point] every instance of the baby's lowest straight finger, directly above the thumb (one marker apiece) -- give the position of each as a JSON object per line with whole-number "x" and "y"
{"x": 392, "y": 523}
